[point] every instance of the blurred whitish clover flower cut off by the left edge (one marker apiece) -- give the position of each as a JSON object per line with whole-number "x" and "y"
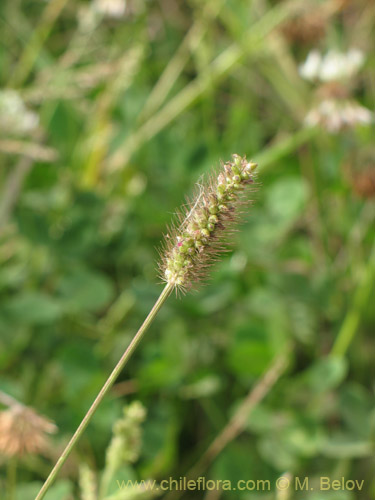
{"x": 15, "y": 117}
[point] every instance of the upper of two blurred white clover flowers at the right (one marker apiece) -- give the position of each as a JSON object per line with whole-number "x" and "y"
{"x": 334, "y": 65}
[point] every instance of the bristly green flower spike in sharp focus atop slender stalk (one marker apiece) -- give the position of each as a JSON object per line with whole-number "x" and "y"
{"x": 203, "y": 225}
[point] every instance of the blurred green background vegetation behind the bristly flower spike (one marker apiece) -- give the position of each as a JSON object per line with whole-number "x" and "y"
{"x": 108, "y": 118}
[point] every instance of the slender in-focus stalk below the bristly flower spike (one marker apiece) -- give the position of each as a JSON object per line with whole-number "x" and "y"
{"x": 104, "y": 390}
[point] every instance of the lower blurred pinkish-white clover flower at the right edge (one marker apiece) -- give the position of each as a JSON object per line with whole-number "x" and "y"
{"x": 335, "y": 115}
